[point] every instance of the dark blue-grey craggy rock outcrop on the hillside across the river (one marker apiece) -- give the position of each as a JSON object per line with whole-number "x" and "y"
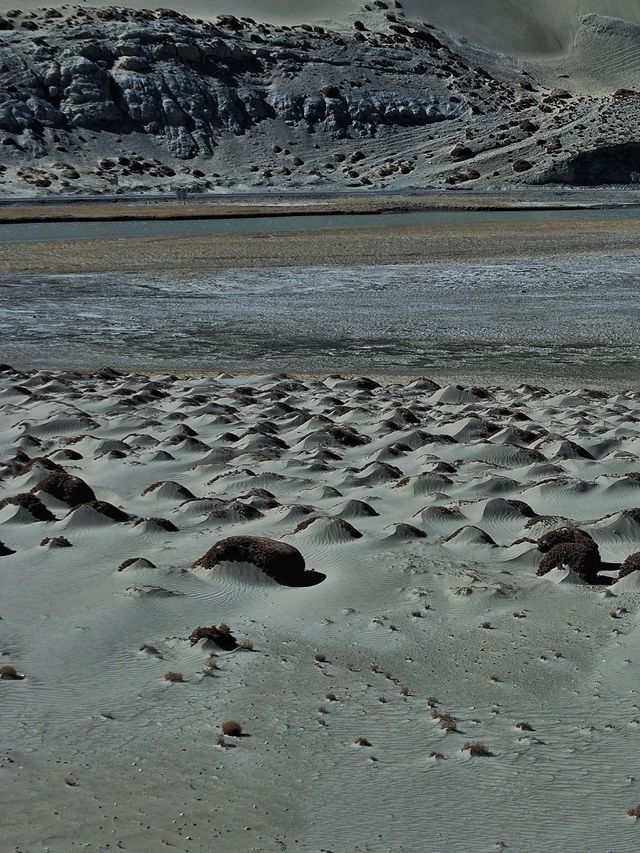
{"x": 188, "y": 82}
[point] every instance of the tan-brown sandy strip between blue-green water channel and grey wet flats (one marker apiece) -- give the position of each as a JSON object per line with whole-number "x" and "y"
{"x": 332, "y": 247}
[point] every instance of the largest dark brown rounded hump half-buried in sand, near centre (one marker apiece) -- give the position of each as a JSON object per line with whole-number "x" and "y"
{"x": 279, "y": 560}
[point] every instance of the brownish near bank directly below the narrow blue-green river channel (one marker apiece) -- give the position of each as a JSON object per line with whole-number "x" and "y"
{"x": 345, "y": 241}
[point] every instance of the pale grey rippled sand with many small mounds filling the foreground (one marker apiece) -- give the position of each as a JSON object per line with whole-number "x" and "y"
{"x": 421, "y": 504}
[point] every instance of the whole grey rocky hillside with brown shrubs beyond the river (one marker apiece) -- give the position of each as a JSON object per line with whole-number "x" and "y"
{"x": 117, "y": 100}
